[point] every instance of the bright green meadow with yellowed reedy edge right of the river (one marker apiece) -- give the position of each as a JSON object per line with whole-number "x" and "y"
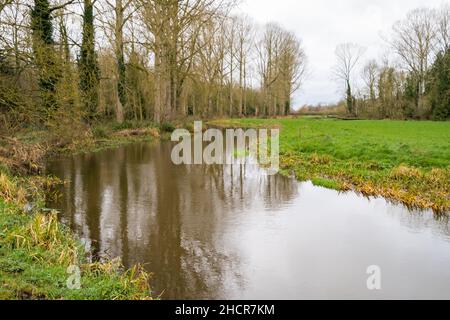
{"x": 404, "y": 161}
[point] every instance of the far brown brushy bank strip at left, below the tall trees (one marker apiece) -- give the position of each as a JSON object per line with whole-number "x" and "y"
{"x": 24, "y": 151}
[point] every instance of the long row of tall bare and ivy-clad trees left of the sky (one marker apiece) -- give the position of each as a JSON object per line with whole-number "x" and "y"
{"x": 155, "y": 60}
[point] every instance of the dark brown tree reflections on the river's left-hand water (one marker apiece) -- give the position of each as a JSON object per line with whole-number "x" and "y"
{"x": 132, "y": 202}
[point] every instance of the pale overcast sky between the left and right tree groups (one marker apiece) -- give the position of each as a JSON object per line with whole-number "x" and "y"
{"x": 323, "y": 24}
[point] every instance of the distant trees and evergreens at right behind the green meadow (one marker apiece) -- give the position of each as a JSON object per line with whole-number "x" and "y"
{"x": 411, "y": 81}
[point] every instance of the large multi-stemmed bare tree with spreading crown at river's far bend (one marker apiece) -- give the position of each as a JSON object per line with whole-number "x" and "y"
{"x": 176, "y": 28}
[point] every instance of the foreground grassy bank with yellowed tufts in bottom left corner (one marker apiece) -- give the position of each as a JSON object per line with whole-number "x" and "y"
{"x": 36, "y": 252}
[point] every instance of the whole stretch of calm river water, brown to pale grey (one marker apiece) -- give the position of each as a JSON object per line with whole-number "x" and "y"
{"x": 233, "y": 232}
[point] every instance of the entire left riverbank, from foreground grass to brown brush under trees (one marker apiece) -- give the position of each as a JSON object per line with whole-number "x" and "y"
{"x": 39, "y": 255}
